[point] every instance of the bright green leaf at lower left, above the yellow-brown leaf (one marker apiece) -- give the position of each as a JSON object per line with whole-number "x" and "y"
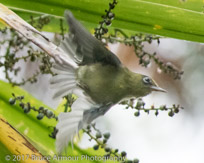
{"x": 27, "y": 124}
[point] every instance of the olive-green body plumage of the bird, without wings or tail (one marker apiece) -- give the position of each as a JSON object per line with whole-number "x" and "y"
{"x": 109, "y": 84}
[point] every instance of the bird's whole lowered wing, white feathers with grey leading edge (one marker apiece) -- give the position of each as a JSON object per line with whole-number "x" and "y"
{"x": 83, "y": 113}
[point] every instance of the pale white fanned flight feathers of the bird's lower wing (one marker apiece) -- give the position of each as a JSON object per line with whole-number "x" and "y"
{"x": 71, "y": 122}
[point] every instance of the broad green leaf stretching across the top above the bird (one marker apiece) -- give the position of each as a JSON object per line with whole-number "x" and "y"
{"x": 172, "y": 18}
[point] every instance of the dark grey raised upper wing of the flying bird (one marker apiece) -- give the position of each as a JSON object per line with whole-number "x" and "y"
{"x": 86, "y": 47}
